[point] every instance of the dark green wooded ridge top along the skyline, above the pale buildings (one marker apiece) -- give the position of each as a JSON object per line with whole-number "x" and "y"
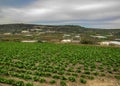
{"x": 16, "y": 28}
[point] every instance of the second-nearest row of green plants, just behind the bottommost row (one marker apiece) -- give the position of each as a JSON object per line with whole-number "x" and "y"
{"x": 37, "y": 77}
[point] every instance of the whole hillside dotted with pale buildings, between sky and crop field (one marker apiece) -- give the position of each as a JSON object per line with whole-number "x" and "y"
{"x": 56, "y": 33}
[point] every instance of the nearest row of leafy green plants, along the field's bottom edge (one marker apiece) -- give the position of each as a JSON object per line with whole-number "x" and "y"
{"x": 42, "y": 80}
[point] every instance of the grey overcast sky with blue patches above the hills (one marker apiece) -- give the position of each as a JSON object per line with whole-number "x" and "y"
{"x": 88, "y": 13}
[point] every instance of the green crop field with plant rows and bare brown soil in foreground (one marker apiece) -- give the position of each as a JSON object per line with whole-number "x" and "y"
{"x": 47, "y": 64}
